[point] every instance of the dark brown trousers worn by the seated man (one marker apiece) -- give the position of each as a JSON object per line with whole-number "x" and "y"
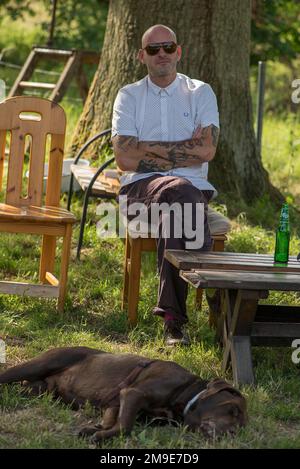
{"x": 173, "y": 290}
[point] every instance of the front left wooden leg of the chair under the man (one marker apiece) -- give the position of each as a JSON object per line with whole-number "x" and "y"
{"x": 134, "y": 279}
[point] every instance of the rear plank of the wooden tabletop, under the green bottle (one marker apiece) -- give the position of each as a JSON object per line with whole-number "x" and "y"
{"x": 229, "y": 261}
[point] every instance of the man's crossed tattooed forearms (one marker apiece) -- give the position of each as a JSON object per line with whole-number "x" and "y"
{"x": 143, "y": 157}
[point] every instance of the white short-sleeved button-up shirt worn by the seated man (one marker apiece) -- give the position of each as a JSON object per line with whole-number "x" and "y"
{"x": 150, "y": 113}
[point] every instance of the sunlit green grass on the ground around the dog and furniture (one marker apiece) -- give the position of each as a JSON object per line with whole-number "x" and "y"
{"x": 94, "y": 317}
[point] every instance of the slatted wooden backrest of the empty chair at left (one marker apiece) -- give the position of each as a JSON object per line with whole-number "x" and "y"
{"x": 24, "y": 116}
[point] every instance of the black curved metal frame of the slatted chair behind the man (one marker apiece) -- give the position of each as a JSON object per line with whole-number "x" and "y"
{"x": 88, "y": 188}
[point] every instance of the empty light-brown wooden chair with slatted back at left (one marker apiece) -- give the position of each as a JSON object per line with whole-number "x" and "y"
{"x": 23, "y": 211}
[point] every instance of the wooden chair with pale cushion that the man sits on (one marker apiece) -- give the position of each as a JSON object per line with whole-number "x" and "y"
{"x": 134, "y": 246}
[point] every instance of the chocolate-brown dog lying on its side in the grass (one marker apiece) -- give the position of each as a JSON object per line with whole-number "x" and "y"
{"x": 124, "y": 385}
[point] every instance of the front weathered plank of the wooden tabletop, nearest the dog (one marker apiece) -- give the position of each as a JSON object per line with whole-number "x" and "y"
{"x": 242, "y": 280}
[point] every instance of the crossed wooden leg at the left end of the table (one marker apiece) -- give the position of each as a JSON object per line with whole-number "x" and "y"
{"x": 239, "y": 314}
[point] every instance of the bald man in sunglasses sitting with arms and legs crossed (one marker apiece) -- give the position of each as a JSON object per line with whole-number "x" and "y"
{"x": 165, "y": 130}
